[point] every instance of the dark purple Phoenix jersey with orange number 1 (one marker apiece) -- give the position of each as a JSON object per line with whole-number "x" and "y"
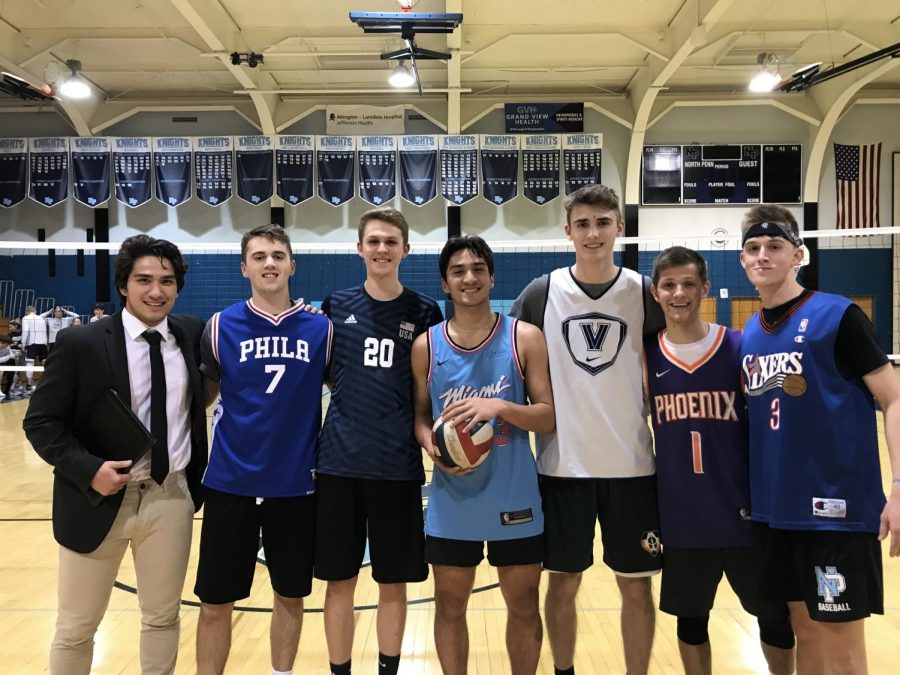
{"x": 700, "y": 432}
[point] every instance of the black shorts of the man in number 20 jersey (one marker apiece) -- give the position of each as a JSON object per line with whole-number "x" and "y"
{"x": 387, "y": 512}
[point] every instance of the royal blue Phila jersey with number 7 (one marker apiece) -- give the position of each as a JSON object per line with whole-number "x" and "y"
{"x": 271, "y": 370}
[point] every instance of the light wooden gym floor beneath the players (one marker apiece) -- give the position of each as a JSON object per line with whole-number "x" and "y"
{"x": 28, "y": 557}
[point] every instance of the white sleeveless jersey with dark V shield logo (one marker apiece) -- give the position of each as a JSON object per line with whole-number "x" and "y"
{"x": 596, "y": 363}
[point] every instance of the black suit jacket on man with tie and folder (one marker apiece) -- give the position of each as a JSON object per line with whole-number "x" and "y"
{"x": 86, "y": 361}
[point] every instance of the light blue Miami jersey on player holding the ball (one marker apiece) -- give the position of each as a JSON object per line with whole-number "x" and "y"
{"x": 500, "y": 499}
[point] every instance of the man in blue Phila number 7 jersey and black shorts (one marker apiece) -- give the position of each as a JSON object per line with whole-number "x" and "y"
{"x": 267, "y": 358}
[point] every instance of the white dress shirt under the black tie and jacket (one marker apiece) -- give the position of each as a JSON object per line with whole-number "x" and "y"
{"x": 178, "y": 396}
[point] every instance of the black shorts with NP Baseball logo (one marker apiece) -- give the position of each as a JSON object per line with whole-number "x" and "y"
{"x": 837, "y": 574}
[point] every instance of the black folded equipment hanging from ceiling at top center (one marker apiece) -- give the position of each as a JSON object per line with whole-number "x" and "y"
{"x": 408, "y": 24}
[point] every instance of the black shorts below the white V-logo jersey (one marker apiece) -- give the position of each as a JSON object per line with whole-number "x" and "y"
{"x": 629, "y": 523}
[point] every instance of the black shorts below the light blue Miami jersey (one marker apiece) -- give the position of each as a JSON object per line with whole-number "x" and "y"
{"x": 501, "y": 552}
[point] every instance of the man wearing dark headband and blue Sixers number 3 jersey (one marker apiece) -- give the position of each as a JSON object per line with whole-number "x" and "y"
{"x": 811, "y": 366}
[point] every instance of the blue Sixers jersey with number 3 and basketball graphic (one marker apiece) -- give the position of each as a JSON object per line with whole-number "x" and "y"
{"x": 813, "y": 442}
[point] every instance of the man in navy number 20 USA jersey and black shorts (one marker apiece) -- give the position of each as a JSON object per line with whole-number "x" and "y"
{"x": 369, "y": 472}
